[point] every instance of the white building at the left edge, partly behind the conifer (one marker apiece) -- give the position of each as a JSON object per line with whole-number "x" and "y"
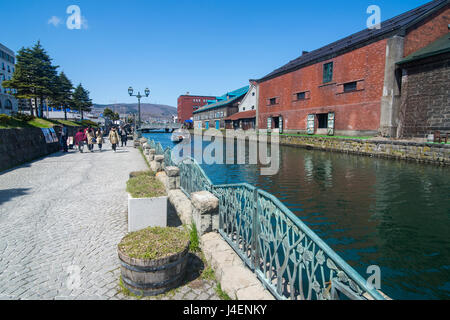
{"x": 8, "y": 103}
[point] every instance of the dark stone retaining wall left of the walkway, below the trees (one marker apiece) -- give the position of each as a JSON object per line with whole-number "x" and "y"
{"x": 18, "y": 146}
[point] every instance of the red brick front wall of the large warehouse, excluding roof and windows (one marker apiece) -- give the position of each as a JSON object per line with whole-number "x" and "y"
{"x": 355, "y": 111}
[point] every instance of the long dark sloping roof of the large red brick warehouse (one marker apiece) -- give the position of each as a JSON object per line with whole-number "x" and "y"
{"x": 396, "y": 25}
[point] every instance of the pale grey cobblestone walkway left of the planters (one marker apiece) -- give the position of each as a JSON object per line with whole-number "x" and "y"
{"x": 61, "y": 219}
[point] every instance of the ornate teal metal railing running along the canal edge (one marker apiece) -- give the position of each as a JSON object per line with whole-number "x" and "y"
{"x": 286, "y": 255}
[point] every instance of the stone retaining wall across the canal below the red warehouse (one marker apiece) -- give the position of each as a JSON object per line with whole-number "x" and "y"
{"x": 419, "y": 152}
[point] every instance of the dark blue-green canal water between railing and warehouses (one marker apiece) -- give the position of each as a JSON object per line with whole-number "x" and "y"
{"x": 371, "y": 211}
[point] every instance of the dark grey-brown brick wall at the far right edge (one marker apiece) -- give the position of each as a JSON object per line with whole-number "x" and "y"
{"x": 426, "y": 97}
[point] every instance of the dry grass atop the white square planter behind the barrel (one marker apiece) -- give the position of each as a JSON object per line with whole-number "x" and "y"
{"x": 145, "y": 185}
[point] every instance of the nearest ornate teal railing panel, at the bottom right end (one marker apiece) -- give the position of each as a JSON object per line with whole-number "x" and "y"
{"x": 295, "y": 263}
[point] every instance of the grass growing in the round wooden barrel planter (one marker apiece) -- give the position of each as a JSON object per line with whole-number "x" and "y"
{"x": 154, "y": 243}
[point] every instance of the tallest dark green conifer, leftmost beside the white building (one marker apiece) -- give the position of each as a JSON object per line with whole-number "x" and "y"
{"x": 34, "y": 75}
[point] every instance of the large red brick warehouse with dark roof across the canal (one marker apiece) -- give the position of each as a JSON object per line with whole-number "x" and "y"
{"x": 352, "y": 86}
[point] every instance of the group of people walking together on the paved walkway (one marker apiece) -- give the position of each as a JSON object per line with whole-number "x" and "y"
{"x": 91, "y": 137}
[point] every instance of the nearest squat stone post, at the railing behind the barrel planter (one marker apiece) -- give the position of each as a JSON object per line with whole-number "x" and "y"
{"x": 205, "y": 212}
